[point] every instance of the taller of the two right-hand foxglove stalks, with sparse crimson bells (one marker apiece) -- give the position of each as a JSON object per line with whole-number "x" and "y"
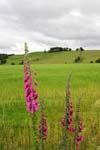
{"x": 67, "y": 118}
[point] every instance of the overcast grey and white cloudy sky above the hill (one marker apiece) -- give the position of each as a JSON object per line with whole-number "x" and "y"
{"x": 47, "y": 23}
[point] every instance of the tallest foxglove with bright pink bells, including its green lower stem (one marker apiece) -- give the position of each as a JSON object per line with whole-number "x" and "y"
{"x": 31, "y": 95}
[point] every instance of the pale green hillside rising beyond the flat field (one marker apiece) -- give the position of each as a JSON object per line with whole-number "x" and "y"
{"x": 57, "y": 57}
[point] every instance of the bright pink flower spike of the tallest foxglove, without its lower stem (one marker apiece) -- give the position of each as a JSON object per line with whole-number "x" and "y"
{"x": 30, "y": 93}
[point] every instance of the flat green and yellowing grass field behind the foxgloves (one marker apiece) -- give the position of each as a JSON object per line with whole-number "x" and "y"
{"x": 15, "y": 122}
